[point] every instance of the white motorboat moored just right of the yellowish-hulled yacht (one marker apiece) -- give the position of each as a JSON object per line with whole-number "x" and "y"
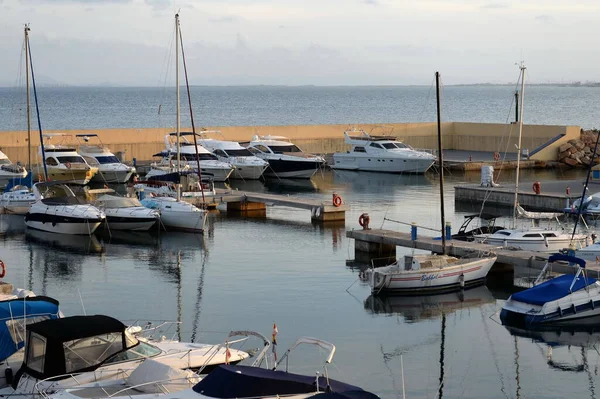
{"x": 110, "y": 168}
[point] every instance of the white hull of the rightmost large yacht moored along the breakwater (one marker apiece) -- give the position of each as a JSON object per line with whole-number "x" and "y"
{"x": 387, "y": 164}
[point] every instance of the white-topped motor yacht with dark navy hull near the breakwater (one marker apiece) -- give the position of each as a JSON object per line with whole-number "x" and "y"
{"x": 285, "y": 159}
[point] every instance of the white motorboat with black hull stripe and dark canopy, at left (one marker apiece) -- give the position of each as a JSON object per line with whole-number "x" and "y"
{"x": 58, "y": 210}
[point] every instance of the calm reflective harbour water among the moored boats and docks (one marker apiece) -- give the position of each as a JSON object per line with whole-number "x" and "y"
{"x": 250, "y": 273}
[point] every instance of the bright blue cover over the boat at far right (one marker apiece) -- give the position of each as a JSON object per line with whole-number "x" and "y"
{"x": 552, "y": 290}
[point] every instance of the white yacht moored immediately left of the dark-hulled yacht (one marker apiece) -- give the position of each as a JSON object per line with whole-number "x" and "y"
{"x": 247, "y": 165}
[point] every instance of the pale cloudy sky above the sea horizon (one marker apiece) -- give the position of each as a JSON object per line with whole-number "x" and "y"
{"x": 302, "y": 42}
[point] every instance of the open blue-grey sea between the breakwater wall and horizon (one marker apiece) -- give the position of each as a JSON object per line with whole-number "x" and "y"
{"x": 96, "y": 108}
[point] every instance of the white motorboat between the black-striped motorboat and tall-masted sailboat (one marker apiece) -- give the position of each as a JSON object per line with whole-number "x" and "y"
{"x": 125, "y": 213}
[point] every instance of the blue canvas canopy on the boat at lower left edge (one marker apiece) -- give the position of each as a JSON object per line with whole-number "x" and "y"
{"x": 32, "y": 309}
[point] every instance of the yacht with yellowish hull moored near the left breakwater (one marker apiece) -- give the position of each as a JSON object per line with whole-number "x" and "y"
{"x": 63, "y": 163}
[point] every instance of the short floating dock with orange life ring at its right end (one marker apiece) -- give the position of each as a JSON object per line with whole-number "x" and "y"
{"x": 248, "y": 202}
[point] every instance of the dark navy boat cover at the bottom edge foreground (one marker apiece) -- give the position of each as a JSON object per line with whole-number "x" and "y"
{"x": 250, "y": 382}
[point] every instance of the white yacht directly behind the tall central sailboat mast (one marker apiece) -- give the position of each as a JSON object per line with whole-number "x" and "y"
{"x": 210, "y": 165}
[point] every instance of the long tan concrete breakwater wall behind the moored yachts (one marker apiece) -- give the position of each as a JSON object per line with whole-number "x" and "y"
{"x": 141, "y": 144}
